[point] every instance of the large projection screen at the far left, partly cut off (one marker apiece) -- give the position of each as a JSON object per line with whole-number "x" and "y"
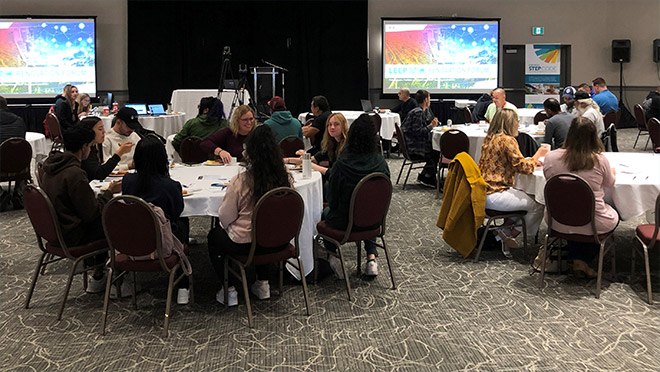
{"x": 39, "y": 56}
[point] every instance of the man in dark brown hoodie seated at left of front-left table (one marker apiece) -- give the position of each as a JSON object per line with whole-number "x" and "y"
{"x": 78, "y": 209}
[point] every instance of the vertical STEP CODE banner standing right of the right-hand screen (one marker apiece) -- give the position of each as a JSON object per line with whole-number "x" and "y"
{"x": 542, "y": 70}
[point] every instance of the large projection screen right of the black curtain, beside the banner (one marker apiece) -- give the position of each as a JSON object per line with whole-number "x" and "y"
{"x": 446, "y": 56}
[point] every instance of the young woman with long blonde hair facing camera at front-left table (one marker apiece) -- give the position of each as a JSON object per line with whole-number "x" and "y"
{"x": 331, "y": 145}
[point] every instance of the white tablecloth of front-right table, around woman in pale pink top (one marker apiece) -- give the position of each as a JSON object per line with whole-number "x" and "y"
{"x": 635, "y": 190}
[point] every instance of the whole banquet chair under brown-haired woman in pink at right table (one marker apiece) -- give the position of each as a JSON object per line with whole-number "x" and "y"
{"x": 570, "y": 201}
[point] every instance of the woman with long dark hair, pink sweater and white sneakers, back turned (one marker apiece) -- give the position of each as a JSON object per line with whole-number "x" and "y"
{"x": 264, "y": 172}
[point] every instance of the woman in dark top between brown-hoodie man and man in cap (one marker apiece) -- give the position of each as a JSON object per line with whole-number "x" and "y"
{"x": 93, "y": 166}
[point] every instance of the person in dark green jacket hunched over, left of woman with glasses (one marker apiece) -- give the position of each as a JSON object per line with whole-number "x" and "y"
{"x": 211, "y": 118}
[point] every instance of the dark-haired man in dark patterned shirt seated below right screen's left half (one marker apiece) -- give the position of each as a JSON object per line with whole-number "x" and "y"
{"x": 417, "y": 130}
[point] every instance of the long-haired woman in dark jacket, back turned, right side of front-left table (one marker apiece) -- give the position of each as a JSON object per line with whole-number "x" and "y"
{"x": 358, "y": 159}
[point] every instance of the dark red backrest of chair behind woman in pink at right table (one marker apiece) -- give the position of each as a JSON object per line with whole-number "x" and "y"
{"x": 570, "y": 201}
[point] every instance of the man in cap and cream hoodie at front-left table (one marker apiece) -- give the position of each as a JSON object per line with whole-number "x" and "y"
{"x": 124, "y": 125}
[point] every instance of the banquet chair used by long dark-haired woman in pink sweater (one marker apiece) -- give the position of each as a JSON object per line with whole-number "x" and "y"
{"x": 276, "y": 220}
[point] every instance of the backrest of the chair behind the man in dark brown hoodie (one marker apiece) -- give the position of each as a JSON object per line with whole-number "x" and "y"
{"x": 42, "y": 215}
